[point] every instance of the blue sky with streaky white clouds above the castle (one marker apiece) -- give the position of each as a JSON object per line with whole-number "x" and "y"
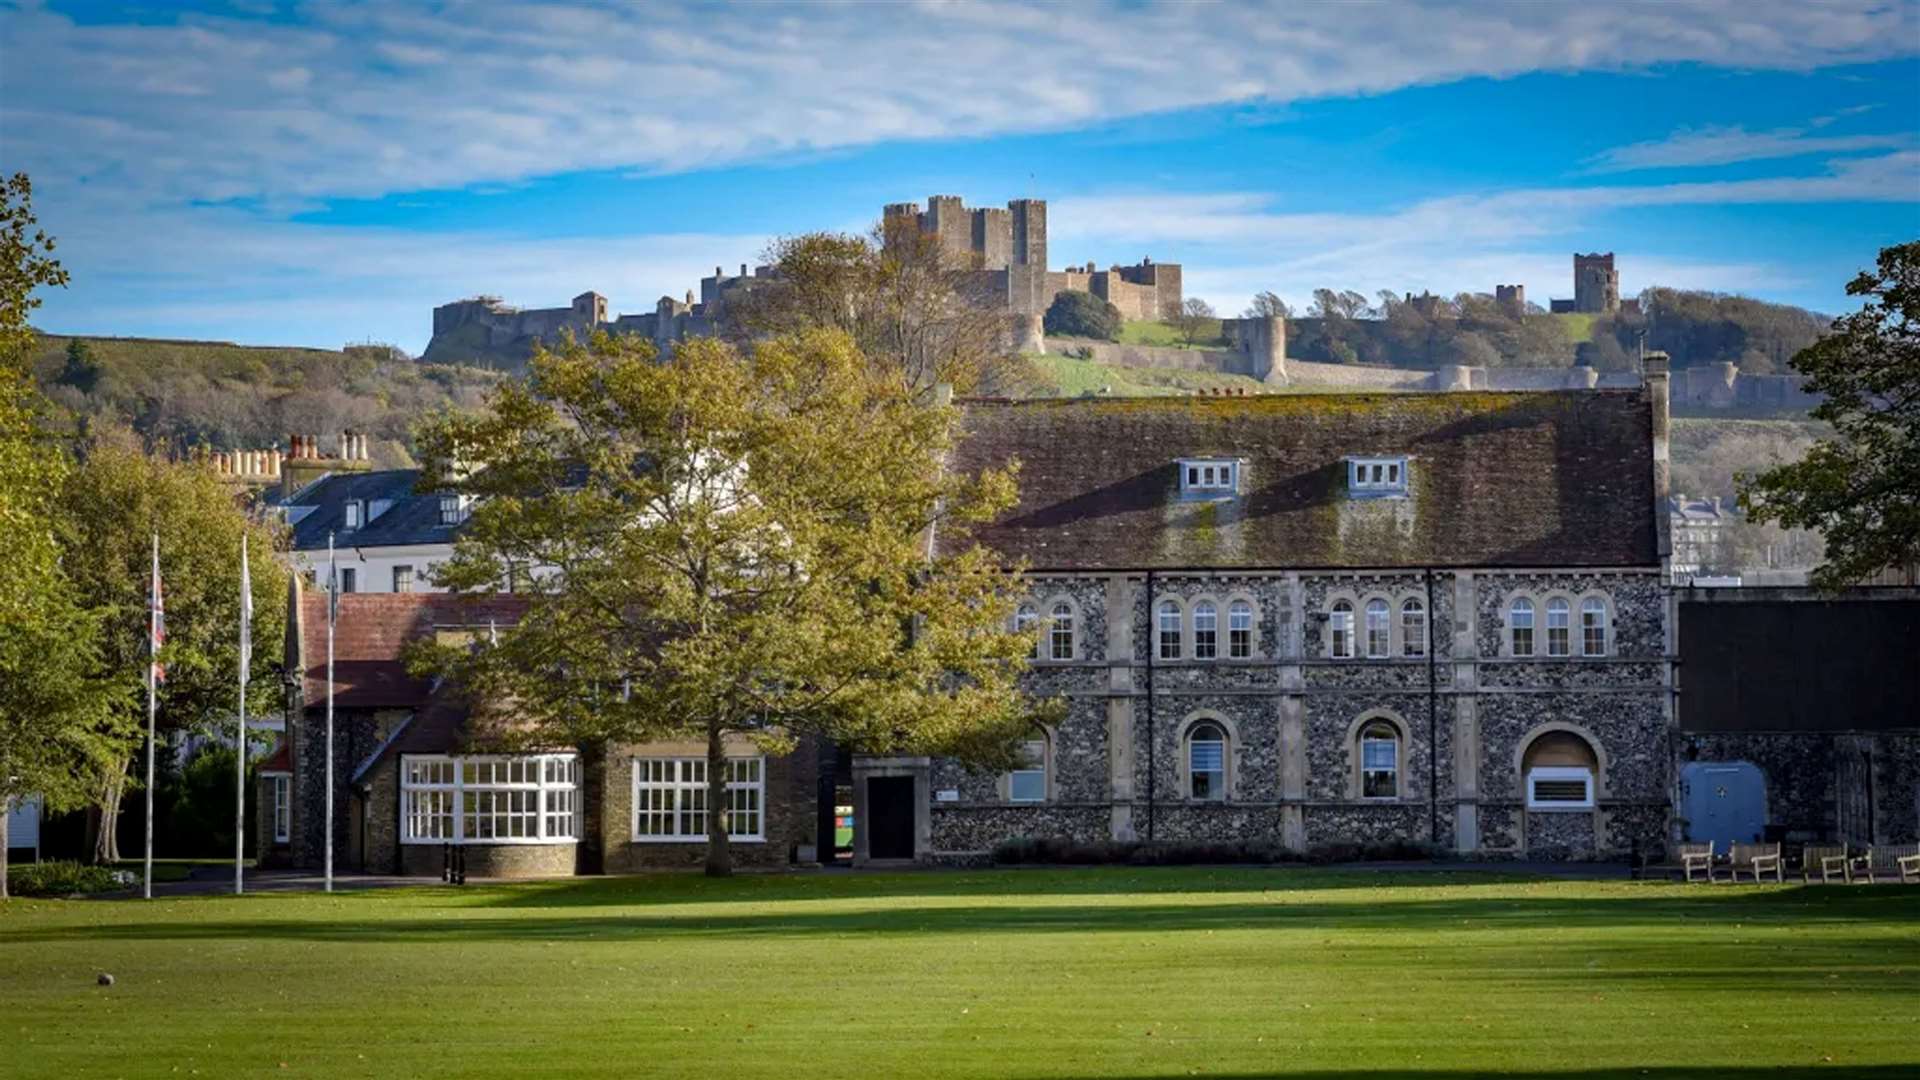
{"x": 327, "y": 174}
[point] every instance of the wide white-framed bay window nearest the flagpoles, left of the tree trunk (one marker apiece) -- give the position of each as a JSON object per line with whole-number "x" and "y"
{"x": 529, "y": 798}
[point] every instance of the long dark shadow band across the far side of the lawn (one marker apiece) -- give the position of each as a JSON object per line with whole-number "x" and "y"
{"x": 1717, "y": 912}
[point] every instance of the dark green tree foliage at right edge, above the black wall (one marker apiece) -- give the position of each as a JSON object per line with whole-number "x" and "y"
{"x": 1861, "y": 487}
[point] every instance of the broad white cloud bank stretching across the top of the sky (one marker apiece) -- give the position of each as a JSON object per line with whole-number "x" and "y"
{"x": 370, "y": 99}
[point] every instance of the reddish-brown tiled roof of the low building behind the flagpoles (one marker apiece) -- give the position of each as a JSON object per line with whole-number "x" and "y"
{"x": 372, "y": 635}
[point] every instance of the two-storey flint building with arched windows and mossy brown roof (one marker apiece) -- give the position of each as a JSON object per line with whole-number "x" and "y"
{"x": 1326, "y": 620}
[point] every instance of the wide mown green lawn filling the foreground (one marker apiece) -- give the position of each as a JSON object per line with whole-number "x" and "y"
{"x": 1011, "y": 973}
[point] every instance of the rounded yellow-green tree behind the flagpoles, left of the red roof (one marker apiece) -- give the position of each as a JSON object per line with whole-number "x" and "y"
{"x": 114, "y": 503}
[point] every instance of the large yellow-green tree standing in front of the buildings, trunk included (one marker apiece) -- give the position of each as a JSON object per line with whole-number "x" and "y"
{"x": 732, "y": 545}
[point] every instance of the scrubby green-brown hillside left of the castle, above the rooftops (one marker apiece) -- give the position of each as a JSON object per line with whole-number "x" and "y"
{"x": 231, "y": 397}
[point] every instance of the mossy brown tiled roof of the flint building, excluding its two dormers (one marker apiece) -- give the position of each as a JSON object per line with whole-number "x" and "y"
{"x": 1539, "y": 479}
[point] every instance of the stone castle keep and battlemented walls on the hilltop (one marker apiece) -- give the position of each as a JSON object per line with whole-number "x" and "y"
{"x": 1003, "y": 249}
